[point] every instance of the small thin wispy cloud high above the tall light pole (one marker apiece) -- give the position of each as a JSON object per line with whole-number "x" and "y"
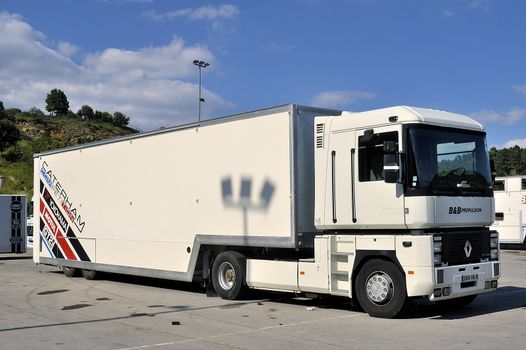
{"x": 209, "y": 12}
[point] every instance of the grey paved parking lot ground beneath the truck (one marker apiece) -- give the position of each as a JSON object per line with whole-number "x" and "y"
{"x": 42, "y": 309}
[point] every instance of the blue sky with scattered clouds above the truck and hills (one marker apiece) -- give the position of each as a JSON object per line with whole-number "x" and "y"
{"x": 135, "y": 56}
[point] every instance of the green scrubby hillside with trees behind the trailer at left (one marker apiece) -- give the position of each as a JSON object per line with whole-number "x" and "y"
{"x": 24, "y": 133}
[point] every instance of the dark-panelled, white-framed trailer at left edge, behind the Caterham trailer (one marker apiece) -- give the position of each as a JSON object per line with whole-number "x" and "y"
{"x": 12, "y": 223}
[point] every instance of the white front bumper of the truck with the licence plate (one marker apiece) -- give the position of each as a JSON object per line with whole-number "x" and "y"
{"x": 456, "y": 281}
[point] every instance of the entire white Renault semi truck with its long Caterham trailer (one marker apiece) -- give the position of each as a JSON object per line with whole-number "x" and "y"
{"x": 381, "y": 206}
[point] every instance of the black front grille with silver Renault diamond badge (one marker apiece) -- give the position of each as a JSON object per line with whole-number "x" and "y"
{"x": 465, "y": 247}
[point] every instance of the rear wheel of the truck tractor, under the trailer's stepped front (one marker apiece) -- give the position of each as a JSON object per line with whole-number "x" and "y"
{"x": 228, "y": 275}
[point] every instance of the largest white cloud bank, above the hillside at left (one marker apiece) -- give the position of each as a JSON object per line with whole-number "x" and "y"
{"x": 154, "y": 86}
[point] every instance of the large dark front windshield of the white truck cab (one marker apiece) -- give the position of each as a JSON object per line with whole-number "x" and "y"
{"x": 447, "y": 162}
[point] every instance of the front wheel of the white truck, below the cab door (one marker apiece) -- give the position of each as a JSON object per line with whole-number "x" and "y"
{"x": 380, "y": 289}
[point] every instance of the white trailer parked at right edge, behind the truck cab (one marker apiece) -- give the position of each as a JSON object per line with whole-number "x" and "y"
{"x": 510, "y": 210}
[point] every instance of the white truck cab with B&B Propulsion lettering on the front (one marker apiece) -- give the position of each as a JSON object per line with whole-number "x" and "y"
{"x": 412, "y": 187}
